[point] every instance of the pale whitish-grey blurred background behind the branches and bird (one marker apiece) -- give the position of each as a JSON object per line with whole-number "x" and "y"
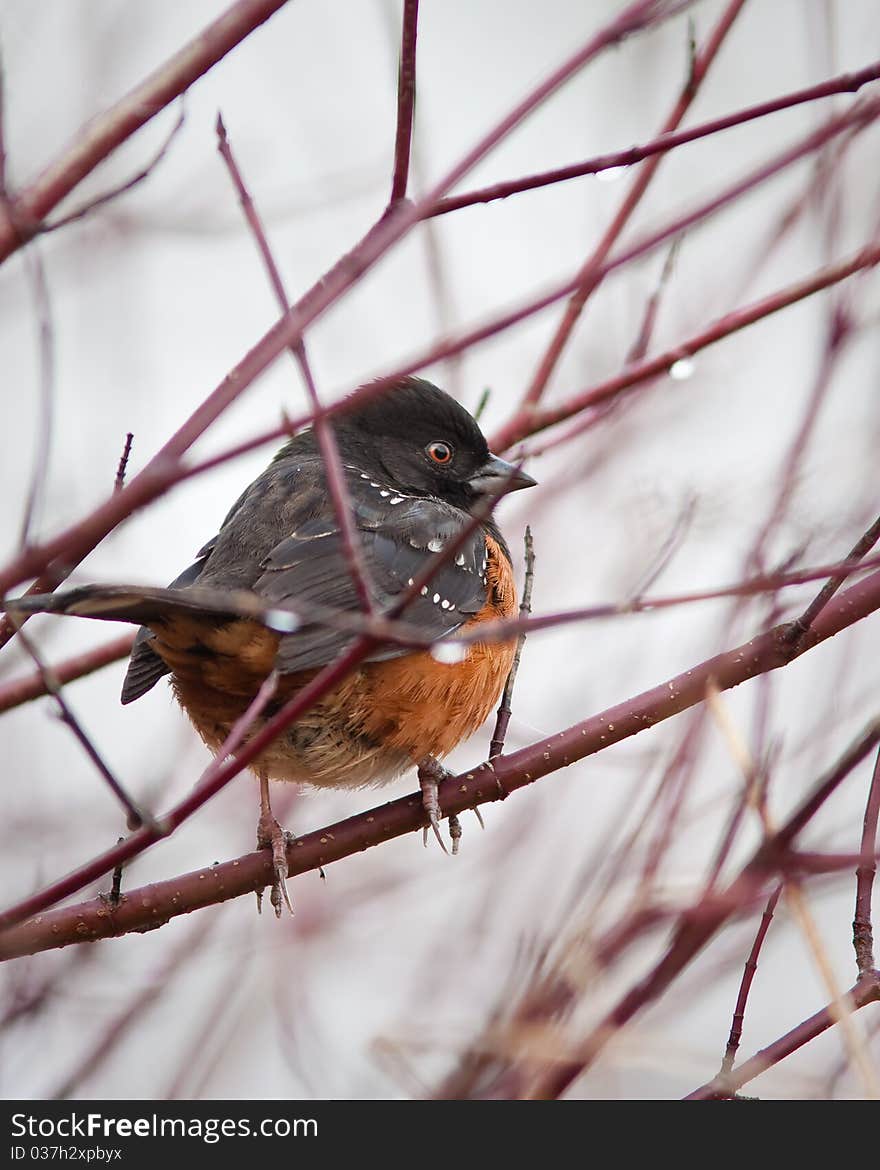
{"x": 393, "y": 966}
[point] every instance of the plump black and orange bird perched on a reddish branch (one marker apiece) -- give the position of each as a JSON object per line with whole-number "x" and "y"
{"x": 420, "y": 476}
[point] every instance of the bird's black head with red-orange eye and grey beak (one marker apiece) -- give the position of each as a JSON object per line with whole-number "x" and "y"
{"x": 422, "y": 442}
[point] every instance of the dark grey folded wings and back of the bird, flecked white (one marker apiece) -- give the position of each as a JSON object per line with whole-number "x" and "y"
{"x": 283, "y": 542}
